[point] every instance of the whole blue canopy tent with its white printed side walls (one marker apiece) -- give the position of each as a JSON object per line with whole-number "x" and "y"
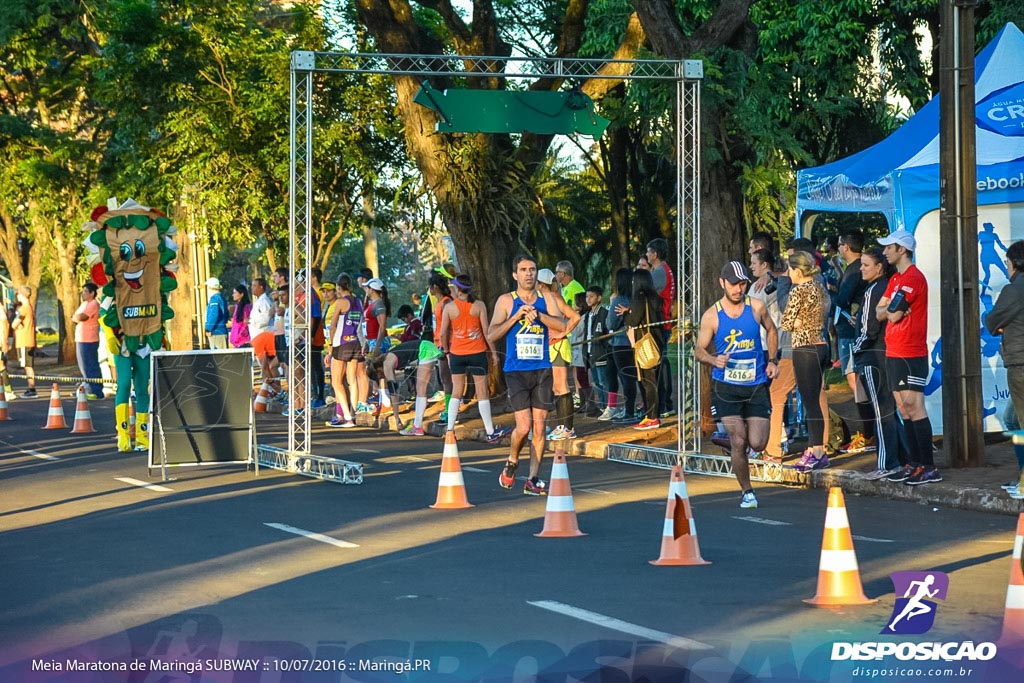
{"x": 900, "y": 179}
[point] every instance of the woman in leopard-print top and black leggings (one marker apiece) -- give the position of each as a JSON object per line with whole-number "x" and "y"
{"x": 805, "y": 317}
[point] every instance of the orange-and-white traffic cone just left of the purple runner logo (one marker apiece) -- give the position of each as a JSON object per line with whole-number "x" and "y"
{"x": 839, "y": 576}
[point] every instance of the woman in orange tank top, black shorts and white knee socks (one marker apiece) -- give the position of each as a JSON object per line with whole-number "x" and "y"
{"x": 463, "y": 336}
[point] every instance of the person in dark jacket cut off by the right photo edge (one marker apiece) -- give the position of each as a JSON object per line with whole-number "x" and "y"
{"x": 1007, "y": 319}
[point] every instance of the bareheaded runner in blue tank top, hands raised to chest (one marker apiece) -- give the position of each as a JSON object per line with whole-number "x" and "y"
{"x": 523, "y": 318}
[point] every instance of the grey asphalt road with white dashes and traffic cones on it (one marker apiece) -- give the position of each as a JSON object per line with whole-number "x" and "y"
{"x": 220, "y": 565}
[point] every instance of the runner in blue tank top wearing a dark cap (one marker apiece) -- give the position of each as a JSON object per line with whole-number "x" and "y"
{"x": 740, "y": 371}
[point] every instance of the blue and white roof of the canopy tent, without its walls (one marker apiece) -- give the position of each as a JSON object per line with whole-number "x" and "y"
{"x": 900, "y": 177}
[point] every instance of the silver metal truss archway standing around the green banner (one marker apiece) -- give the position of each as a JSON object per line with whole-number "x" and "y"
{"x": 688, "y": 74}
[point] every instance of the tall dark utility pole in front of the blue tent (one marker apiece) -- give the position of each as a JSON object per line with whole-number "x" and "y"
{"x": 962, "y": 405}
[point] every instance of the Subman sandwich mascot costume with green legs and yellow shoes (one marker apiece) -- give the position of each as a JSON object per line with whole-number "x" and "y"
{"x": 131, "y": 254}
